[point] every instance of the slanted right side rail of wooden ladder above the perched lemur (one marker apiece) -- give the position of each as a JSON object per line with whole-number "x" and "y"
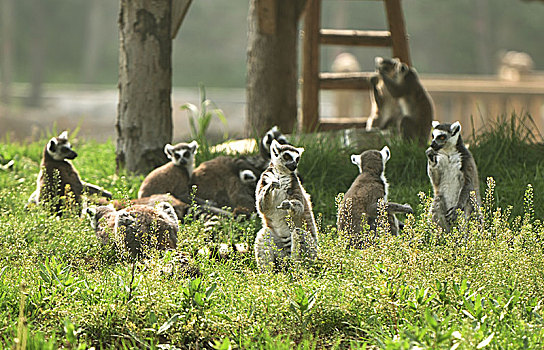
{"x": 397, "y": 27}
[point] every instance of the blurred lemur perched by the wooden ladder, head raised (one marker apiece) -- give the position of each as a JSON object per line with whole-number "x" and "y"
{"x": 400, "y": 101}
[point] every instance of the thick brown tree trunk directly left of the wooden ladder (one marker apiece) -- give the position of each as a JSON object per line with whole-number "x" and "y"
{"x": 272, "y": 68}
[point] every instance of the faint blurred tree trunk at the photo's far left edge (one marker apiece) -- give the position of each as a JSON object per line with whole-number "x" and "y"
{"x": 7, "y": 49}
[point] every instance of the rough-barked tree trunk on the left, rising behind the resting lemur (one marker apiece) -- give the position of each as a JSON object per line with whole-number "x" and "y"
{"x": 144, "y": 116}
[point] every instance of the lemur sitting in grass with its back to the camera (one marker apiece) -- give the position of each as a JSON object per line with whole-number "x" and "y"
{"x": 363, "y": 195}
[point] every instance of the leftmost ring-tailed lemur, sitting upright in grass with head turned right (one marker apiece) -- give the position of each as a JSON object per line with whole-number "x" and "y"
{"x": 58, "y": 177}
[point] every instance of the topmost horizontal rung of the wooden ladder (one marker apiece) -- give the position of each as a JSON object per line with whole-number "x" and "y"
{"x": 379, "y": 38}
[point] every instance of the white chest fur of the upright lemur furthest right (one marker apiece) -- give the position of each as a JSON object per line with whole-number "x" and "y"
{"x": 452, "y": 179}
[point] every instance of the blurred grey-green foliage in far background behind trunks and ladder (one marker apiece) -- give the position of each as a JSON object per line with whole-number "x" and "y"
{"x": 79, "y": 38}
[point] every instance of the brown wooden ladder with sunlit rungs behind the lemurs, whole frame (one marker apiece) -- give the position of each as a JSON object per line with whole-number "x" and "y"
{"x": 314, "y": 80}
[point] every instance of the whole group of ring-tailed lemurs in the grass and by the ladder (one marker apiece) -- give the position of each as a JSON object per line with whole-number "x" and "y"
{"x": 269, "y": 183}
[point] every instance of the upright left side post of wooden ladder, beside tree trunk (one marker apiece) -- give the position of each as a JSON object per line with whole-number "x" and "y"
{"x": 310, "y": 67}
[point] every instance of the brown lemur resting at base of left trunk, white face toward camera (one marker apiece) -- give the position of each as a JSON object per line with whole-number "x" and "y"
{"x": 174, "y": 176}
